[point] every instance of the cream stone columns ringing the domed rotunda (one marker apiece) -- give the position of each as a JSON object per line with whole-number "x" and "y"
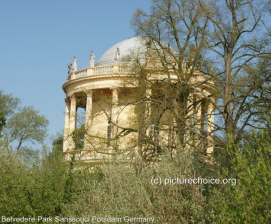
{"x": 204, "y": 117}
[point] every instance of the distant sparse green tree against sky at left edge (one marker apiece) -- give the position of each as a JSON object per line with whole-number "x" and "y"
{"x": 22, "y": 124}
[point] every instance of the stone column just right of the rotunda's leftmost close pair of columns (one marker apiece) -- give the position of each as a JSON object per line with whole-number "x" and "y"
{"x": 88, "y": 120}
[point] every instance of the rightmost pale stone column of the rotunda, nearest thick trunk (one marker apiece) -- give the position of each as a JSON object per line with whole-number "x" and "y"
{"x": 210, "y": 127}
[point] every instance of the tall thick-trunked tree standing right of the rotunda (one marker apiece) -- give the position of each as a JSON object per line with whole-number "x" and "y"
{"x": 239, "y": 55}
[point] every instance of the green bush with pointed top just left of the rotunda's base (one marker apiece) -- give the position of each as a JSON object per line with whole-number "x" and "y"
{"x": 48, "y": 182}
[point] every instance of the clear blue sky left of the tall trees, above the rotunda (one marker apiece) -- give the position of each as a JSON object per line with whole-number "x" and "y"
{"x": 40, "y": 37}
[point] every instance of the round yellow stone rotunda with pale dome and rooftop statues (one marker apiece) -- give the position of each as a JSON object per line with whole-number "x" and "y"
{"x": 119, "y": 118}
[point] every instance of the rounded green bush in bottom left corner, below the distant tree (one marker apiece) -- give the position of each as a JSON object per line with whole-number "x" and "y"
{"x": 15, "y": 180}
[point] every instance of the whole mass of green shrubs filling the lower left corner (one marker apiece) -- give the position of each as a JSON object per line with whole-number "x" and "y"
{"x": 43, "y": 189}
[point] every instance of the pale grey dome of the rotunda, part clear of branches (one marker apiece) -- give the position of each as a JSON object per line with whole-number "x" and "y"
{"x": 122, "y": 49}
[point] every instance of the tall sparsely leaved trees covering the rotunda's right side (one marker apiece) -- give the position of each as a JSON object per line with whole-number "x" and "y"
{"x": 219, "y": 39}
